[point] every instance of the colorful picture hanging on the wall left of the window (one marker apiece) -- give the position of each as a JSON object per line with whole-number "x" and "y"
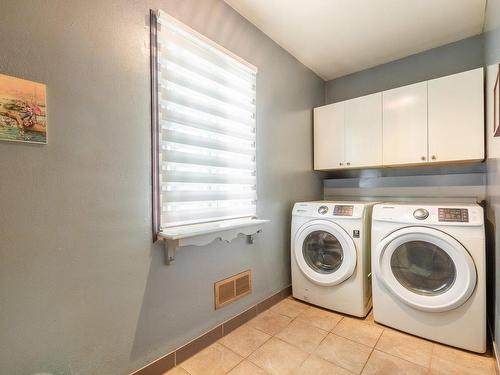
{"x": 23, "y": 116}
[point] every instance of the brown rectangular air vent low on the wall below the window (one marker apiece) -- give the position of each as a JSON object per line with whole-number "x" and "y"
{"x": 232, "y": 288}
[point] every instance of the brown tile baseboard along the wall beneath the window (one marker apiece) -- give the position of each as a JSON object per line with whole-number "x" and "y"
{"x": 170, "y": 360}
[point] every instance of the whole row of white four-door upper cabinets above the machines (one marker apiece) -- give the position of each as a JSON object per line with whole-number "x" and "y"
{"x": 437, "y": 121}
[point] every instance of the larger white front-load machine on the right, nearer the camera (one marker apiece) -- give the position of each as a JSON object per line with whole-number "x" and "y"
{"x": 428, "y": 264}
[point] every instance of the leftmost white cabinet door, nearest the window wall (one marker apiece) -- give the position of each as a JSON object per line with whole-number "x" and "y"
{"x": 329, "y": 136}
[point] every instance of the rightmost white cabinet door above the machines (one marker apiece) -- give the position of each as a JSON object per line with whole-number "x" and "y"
{"x": 456, "y": 118}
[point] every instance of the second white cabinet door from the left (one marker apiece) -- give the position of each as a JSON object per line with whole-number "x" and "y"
{"x": 363, "y": 131}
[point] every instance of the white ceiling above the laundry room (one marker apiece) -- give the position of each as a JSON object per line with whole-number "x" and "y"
{"x": 338, "y": 37}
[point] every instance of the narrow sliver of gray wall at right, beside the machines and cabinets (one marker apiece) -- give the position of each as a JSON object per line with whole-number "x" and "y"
{"x": 492, "y": 56}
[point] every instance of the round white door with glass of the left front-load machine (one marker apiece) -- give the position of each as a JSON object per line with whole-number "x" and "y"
{"x": 325, "y": 253}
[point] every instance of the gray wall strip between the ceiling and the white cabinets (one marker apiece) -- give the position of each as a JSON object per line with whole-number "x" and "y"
{"x": 452, "y": 58}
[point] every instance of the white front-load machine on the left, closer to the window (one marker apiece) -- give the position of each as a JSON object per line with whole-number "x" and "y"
{"x": 330, "y": 255}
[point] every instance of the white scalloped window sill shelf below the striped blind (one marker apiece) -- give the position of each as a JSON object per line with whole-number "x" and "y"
{"x": 203, "y": 234}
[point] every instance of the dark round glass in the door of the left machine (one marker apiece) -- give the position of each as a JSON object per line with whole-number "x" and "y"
{"x": 322, "y": 252}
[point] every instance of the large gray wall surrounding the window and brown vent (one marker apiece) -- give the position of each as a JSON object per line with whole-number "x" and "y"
{"x": 82, "y": 289}
